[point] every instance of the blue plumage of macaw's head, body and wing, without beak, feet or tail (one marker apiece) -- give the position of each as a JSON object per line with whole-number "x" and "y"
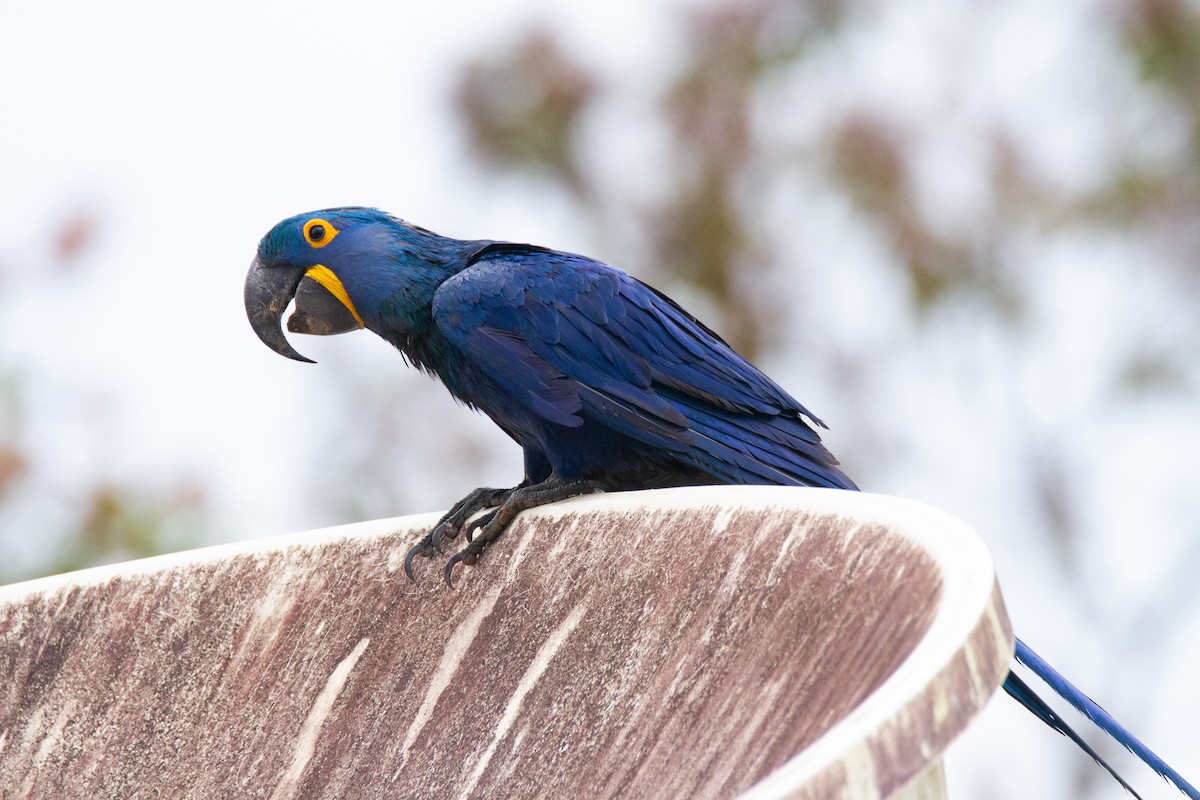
{"x": 596, "y": 375}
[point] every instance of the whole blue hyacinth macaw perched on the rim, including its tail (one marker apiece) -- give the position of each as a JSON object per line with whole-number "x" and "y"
{"x": 605, "y": 383}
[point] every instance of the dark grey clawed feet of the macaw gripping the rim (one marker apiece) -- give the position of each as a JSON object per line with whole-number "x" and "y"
{"x": 490, "y": 527}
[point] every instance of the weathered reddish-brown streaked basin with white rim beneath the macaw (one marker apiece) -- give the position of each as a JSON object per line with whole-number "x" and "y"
{"x": 686, "y": 643}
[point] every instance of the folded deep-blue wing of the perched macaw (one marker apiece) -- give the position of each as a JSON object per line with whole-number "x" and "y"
{"x": 574, "y": 342}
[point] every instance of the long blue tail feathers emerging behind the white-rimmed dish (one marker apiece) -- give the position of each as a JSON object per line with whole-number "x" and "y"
{"x": 1025, "y": 696}
